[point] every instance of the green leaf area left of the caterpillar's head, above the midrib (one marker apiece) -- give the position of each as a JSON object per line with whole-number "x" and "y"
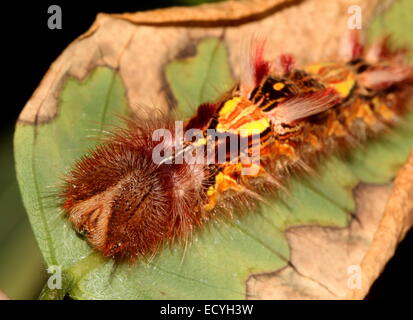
{"x": 45, "y": 152}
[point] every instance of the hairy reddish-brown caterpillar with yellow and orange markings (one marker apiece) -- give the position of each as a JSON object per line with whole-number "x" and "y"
{"x": 129, "y": 206}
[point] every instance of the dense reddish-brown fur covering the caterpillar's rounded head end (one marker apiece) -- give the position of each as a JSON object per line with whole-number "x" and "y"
{"x": 125, "y": 204}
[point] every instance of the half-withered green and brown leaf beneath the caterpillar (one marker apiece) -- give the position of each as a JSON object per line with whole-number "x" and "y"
{"x": 285, "y": 251}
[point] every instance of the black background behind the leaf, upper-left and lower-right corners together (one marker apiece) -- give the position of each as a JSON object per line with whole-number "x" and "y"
{"x": 30, "y": 47}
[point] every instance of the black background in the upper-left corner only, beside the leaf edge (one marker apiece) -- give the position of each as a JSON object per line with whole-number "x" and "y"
{"x": 32, "y": 46}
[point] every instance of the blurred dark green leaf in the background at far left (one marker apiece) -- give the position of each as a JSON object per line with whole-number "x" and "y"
{"x": 18, "y": 243}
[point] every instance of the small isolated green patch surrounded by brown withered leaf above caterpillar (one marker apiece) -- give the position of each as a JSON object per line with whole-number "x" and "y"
{"x": 201, "y": 78}
